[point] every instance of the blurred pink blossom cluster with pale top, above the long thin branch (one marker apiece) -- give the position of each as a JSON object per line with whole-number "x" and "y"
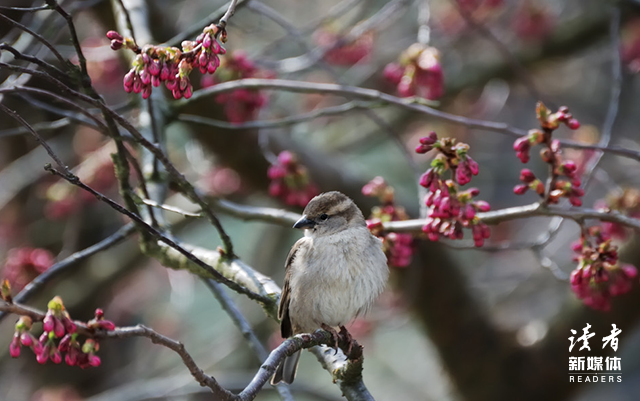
{"x": 418, "y": 72}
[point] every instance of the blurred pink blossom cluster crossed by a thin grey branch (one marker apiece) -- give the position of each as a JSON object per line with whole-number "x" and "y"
{"x": 240, "y": 105}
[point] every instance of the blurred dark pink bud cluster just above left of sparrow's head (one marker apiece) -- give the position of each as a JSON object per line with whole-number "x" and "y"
{"x": 290, "y": 181}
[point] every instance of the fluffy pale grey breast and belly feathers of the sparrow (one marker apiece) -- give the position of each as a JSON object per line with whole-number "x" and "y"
{"x": 336, "y": 277}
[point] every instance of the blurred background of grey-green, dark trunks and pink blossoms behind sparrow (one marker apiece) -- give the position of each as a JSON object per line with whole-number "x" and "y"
{"x": 455, "y": 323}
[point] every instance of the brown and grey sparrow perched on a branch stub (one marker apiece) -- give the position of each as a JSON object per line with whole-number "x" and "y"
{"x": 333, "y": 274}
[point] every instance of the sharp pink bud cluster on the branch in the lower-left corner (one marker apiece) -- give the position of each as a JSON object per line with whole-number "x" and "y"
{"x": 59, "y": 337}
